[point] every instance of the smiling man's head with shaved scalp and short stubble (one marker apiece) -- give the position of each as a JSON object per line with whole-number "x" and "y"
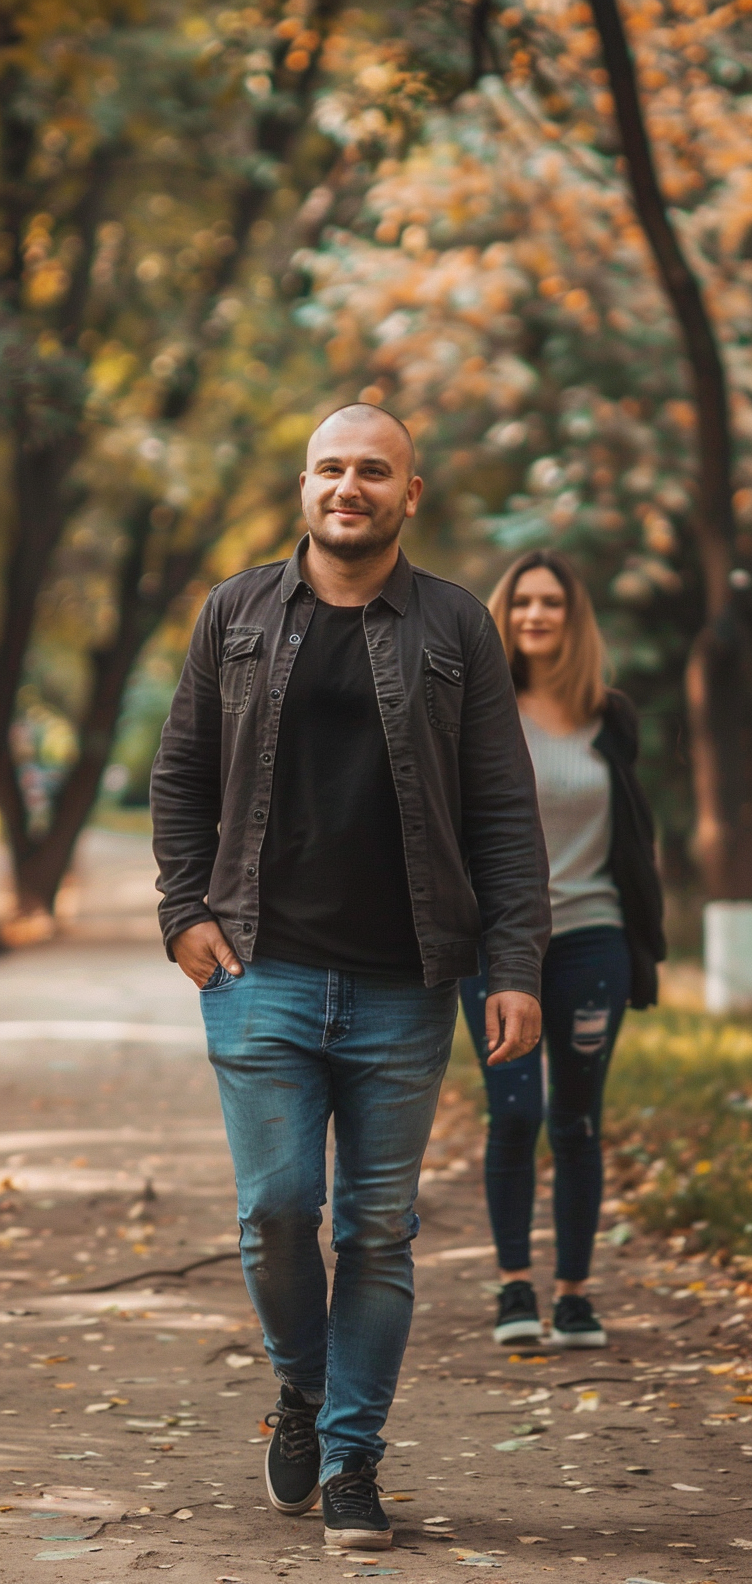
{"x": 359, "y": 485}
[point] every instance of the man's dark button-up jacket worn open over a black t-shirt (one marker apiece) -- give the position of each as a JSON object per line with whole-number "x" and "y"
{"x": 476, "y": 855}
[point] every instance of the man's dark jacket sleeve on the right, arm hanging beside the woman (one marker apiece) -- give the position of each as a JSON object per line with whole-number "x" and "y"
{"x": 501, "y": 823}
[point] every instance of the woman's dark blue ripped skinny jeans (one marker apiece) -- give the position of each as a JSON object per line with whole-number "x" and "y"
{"x": 585, "y": 989}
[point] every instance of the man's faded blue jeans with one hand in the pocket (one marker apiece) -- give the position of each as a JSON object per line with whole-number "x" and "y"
{"x": 294, "y": 1046}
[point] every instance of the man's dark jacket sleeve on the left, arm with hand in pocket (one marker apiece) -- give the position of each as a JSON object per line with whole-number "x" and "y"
{"x": 188, "y": 790}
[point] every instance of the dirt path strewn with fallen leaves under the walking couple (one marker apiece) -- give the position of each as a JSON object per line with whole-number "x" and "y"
{"x": 131, "y": 1418}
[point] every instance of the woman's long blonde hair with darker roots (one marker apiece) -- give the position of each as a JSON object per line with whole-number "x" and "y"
{"x": 579, "y": 674}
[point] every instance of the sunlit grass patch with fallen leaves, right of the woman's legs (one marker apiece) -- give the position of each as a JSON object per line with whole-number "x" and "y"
{"x": 678, "y": 1127}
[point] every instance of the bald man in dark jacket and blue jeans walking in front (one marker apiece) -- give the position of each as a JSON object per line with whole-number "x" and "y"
{"x": 343, "y": 810}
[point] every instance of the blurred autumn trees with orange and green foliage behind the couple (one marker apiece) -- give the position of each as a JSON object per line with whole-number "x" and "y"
{"x": 221, "y": 224}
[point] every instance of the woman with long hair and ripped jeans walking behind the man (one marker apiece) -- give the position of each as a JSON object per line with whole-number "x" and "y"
{"x": 607, "y": 939}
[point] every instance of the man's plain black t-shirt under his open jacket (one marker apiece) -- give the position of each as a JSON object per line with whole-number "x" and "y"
{"x": 333, "y": 877}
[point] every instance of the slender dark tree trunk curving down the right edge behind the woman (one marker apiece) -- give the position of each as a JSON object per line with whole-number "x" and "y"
{"x": 720, "y": 672}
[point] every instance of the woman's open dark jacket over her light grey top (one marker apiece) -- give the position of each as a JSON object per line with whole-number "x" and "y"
{"x": 632, "y": 858}
